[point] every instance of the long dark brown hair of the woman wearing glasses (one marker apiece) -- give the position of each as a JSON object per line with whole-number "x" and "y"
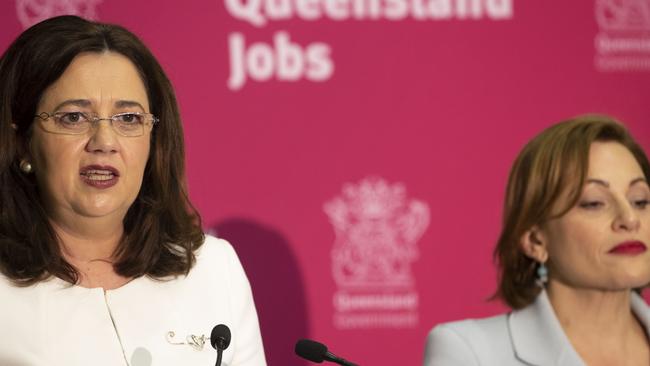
{"x": 161, "y": 229}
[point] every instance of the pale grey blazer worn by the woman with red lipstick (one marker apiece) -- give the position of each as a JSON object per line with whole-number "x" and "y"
{"x": 530, "y": 336}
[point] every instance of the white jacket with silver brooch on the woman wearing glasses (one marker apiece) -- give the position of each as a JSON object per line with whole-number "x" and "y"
{"x": 146, "y": 322}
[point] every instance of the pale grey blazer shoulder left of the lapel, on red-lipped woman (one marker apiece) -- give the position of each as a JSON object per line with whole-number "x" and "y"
{"x": 468, "y": 342}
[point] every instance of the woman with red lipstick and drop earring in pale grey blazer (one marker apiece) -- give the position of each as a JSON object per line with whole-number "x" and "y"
{"x": 572, "y": 256}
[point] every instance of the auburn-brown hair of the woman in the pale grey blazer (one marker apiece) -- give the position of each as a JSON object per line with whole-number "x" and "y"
{"x": 552, "y": 165}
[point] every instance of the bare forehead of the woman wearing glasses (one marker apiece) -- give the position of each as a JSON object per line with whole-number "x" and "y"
{"x": 100, "y": 78}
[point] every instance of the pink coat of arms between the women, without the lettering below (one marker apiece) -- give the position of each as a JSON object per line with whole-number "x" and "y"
{"x": 377, "y": 230}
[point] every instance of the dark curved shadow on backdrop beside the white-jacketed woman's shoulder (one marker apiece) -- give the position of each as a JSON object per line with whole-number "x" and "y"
{"x": 277, "y": 284}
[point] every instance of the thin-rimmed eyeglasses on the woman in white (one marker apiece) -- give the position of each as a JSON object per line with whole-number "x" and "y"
{"x": 129, "y": 124}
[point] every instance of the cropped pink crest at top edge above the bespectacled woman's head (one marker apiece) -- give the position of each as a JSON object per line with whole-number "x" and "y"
{"x": 30, "y": 12}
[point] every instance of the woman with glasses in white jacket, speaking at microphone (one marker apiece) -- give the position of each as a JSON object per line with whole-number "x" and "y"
{"x": 102, "y": 257}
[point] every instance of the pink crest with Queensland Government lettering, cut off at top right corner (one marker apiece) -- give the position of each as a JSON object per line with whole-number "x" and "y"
{"x": 623, "y": 39}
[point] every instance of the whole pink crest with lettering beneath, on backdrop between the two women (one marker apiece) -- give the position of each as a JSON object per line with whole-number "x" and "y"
{"x": 377, "y": 228}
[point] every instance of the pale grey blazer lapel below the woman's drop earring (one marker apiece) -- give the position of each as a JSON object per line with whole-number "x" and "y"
{"x": 538, "y": 338}
